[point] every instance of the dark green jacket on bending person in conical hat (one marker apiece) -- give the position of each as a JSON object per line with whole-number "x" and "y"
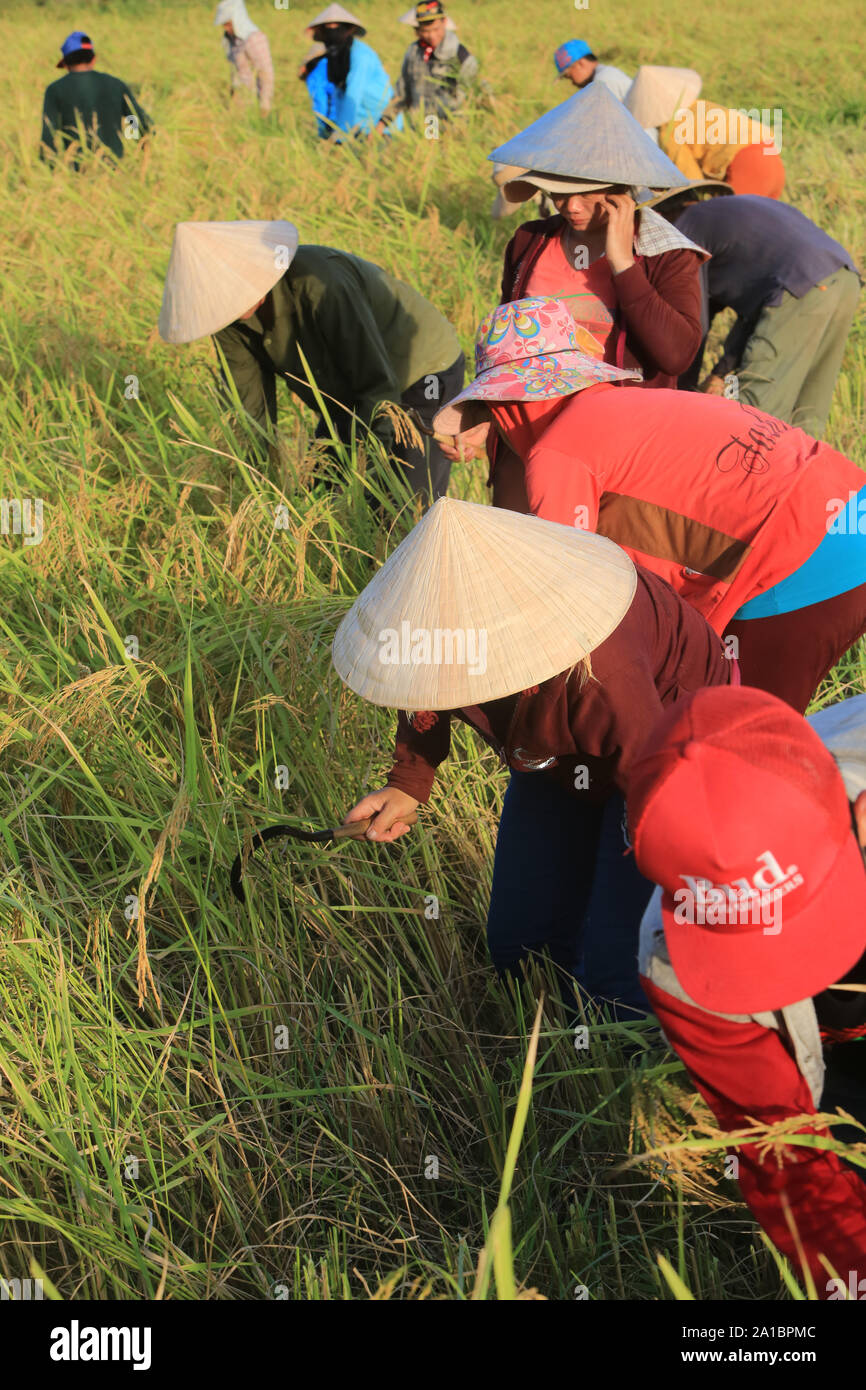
{"x": 366, "y": 337}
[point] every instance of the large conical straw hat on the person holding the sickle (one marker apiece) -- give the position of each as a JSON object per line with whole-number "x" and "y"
{"x": 479, "y": 603}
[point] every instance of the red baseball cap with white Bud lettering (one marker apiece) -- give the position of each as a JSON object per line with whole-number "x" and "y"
{"x": 739, "y": 811}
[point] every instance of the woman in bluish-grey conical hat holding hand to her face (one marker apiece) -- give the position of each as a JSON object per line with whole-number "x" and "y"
{"x": 625, "y": 279}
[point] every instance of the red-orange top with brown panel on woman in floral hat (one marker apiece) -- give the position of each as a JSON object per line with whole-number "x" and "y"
{"x": 717, "y": 497}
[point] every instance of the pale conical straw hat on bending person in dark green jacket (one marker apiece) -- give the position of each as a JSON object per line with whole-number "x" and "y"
{"x": 218, "y": 272}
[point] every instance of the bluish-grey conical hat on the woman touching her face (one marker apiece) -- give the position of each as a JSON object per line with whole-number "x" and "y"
{"x": 591, "y": 137}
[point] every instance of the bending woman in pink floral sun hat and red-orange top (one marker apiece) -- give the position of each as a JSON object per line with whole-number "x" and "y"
{"x": 747, "y": 518}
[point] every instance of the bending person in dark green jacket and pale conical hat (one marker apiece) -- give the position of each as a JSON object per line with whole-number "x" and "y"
{"x": 366, "y": 337}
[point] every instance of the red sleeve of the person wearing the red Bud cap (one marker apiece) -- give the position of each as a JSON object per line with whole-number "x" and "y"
{"x": 746, "y": 1074}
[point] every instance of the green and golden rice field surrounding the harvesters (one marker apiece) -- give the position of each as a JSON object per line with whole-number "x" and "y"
{"x": 325, "y": 1095}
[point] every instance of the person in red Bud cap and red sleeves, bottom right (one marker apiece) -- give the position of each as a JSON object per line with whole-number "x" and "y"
{"x": 760, "y": 918}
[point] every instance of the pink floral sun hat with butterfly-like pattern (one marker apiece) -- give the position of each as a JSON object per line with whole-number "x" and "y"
{"x": 530, "y": 350}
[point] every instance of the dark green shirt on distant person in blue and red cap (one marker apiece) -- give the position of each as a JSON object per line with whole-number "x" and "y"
{"x": 98, "y": 102}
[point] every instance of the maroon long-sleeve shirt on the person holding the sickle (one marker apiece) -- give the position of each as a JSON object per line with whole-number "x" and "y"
{"x": 662, "y": 651}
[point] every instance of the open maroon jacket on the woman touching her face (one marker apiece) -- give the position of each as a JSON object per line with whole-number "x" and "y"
{"x": 660, "y": 302}
